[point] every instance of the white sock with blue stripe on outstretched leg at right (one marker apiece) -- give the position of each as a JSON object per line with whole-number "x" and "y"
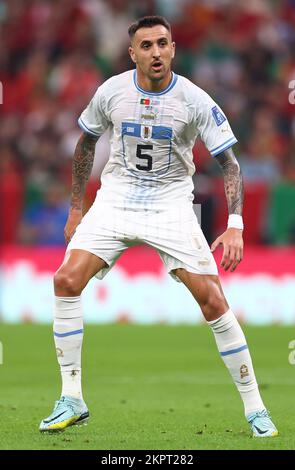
{"x": 233, "y": 349}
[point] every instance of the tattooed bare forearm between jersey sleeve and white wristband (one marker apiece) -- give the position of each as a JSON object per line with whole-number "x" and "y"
{"x": 233, "y": 181}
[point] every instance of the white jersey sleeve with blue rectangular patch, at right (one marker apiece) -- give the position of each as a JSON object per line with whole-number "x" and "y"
{"x": 213, "y": 126}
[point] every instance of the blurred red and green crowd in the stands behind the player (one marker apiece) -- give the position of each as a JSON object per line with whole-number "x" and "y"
{"x": 54, "y": 54}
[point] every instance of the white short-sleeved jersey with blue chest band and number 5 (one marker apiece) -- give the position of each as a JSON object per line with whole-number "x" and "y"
{"x": 152, "y": 136}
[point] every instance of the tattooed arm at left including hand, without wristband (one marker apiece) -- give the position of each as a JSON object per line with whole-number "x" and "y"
{"x": 82, "y": 166}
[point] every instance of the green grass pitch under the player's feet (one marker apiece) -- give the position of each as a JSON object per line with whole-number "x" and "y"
{"x": 147, "y": 387}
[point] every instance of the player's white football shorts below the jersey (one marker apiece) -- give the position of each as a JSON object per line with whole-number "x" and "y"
{"x": 174, "y": 232}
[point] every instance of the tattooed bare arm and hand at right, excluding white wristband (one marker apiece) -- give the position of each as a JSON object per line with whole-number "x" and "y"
{"x": 231, "y": 239}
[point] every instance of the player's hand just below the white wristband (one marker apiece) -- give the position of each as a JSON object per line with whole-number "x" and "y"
{"x": 232, "y": 241}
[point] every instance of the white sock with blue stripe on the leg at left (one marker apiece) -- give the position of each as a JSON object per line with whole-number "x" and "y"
{"x": 68, "y": 337}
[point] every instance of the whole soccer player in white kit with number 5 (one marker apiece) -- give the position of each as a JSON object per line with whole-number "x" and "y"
{"x": 155, "y": 117}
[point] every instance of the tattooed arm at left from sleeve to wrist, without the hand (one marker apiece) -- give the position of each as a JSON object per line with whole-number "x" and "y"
{"x": 82, "y": 166}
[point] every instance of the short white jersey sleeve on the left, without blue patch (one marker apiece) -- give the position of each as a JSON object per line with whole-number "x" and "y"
{"x": 93, "y": 119}
